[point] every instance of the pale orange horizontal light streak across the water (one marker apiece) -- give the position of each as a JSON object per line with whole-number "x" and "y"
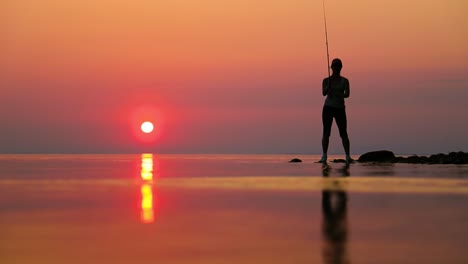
{"x": 276, "y": 183}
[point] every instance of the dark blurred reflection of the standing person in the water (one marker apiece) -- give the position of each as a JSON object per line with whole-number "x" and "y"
{"x": 335, "y": 226}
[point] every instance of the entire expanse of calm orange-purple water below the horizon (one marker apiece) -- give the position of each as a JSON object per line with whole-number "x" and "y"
{"x": 228, "y": 209}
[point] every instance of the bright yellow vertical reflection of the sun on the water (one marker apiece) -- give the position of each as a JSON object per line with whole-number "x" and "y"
{"x": 146, "y": 188}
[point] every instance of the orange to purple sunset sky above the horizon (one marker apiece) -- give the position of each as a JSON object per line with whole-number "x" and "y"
{"x": 230, "y": 76}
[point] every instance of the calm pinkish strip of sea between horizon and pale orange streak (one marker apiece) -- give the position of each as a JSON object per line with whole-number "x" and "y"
{"x": 129, "y": 166}
